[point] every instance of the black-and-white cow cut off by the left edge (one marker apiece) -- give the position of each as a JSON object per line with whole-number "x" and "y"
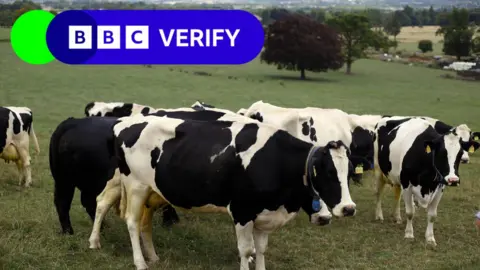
{"x": 16, "y": 129}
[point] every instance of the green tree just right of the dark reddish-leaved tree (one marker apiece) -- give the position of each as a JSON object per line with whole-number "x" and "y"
{"x": 356, "y": 35}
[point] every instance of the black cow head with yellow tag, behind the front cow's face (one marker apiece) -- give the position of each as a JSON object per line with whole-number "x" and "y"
{"x": 362, "y": 152}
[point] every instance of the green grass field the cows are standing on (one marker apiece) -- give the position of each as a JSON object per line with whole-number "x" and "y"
{"x": 28, "y": 222}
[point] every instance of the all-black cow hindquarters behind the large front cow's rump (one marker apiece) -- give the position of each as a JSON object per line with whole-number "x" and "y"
{"x": 81, "y": 157}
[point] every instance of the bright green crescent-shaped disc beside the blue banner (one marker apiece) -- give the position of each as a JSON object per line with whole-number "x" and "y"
{"x": 29, "y": 37}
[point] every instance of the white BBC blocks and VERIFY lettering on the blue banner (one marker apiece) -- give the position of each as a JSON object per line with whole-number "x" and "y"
{"x": 137, "y": 37}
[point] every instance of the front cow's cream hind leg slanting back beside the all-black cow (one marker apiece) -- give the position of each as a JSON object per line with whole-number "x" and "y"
{"x": 105, "y": 200}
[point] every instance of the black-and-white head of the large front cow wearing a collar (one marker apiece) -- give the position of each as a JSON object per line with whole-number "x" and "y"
{"x": 327, "y": 177}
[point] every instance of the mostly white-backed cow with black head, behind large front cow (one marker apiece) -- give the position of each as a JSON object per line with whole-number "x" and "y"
{"x": 319, "y": 126}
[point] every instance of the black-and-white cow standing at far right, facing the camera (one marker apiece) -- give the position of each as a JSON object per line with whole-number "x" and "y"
{"x": 418, "y": 161}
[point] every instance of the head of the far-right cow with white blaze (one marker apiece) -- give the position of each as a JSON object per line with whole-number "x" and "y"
{"x": 446, "y": 152}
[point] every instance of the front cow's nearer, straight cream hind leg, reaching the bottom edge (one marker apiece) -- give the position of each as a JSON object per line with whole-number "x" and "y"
{"x": 136, "y": 197}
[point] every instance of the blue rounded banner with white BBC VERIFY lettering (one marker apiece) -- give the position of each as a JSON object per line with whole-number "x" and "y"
{"x": 157, "y": 37}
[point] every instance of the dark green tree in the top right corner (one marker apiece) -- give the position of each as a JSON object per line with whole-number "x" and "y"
{"x": 458, "y": 34}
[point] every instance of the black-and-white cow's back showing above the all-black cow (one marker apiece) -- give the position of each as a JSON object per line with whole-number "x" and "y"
{"x": 117, "y": 109}
